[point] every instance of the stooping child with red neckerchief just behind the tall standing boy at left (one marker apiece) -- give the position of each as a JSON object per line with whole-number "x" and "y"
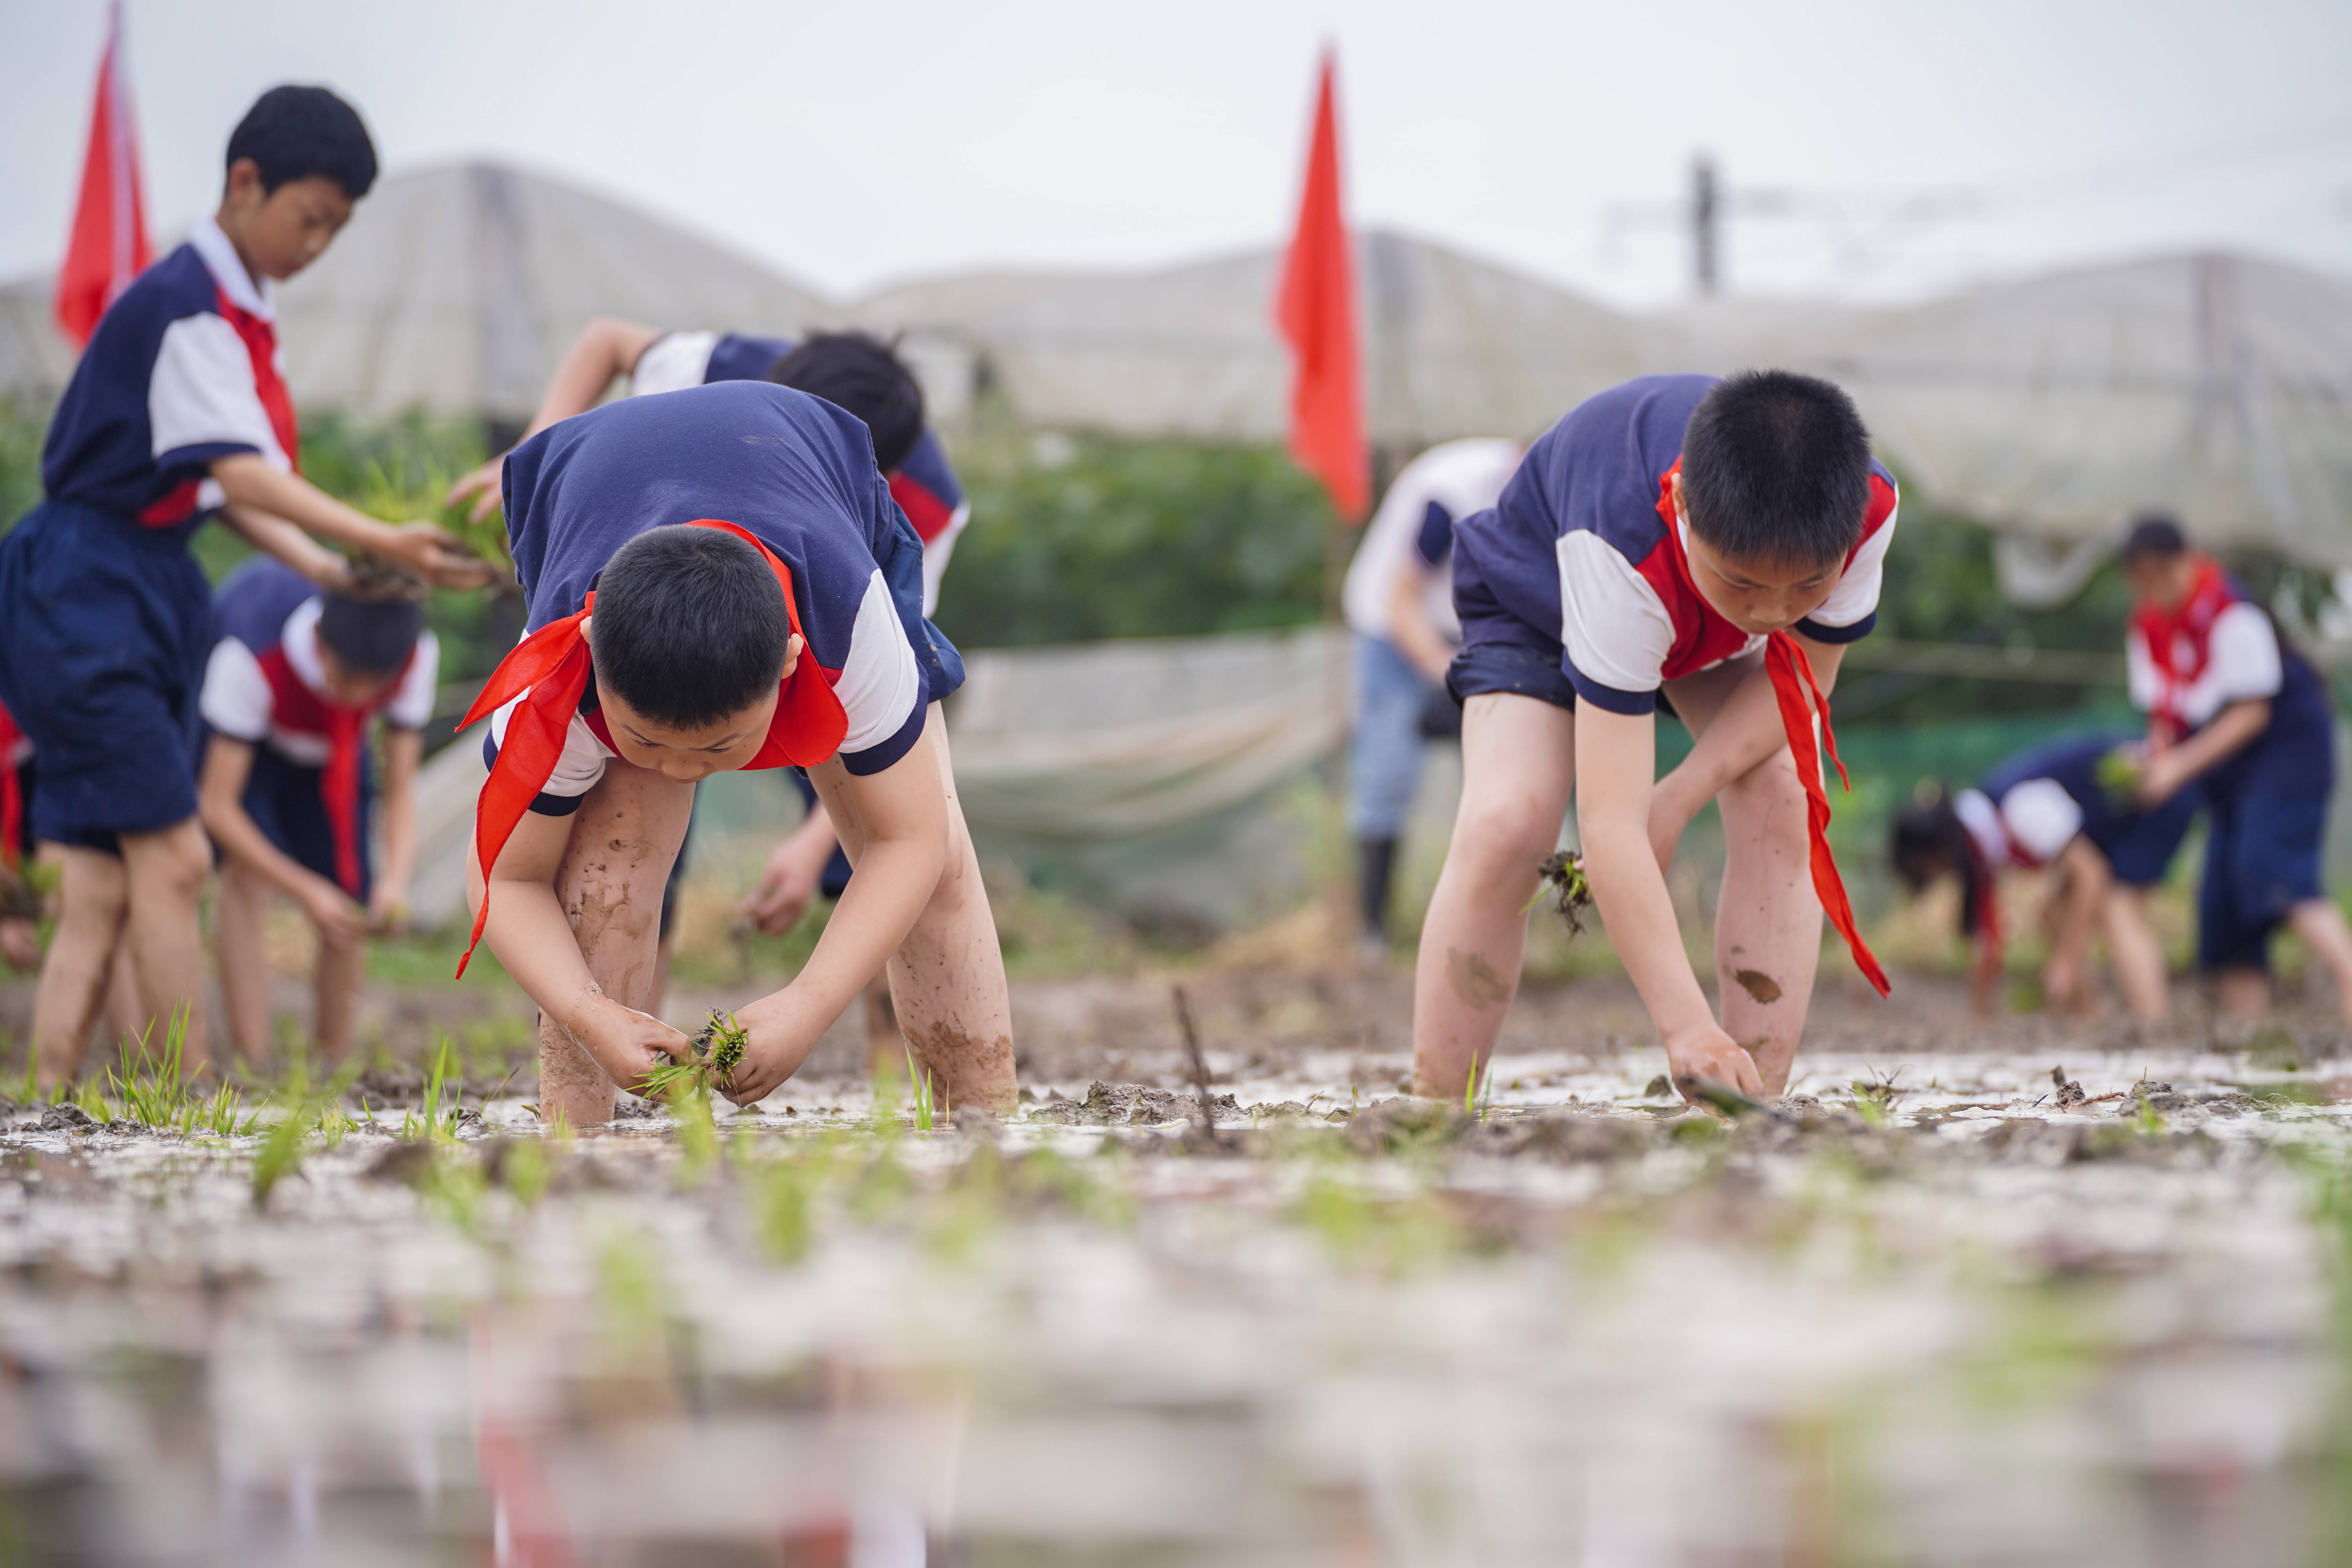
{"x": 288, "y": 793}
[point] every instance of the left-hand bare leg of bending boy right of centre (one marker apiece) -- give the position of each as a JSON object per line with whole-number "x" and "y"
{"x": 1518, "y": 765}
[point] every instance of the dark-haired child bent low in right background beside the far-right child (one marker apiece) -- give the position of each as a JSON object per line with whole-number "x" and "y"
{"x": 2052, "y": 810}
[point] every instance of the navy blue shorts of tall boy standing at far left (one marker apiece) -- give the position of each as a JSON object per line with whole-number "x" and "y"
{"x": 105, "y": 629}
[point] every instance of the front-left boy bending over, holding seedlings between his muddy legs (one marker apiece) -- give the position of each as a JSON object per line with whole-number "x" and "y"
{"x": 721, "y": 579}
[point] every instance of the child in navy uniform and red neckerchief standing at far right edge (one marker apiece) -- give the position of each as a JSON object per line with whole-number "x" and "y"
{"x": 2243, "y": 713}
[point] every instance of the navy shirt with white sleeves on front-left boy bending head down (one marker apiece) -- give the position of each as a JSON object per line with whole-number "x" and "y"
{"x": 794, "y": 471}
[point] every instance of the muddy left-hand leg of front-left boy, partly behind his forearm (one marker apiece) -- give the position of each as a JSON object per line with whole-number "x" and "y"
{"x": 624, "y": 840}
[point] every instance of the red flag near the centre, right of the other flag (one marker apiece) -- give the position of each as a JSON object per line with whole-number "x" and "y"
{"x": 1316, "y": 311}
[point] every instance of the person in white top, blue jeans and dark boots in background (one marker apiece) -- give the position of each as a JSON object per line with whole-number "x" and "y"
{"x": 1401, "y": 608}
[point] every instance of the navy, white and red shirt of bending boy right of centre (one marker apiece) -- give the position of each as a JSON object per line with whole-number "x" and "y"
{"x": 1584, "y": 558}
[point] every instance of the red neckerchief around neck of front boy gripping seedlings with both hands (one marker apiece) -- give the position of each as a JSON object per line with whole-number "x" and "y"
{"x": 549, "y": 671}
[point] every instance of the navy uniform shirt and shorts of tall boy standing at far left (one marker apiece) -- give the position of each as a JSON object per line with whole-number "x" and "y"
{"x": 102, "y": 608}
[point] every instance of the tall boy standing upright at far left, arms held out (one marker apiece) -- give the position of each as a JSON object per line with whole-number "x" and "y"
{"x": 178, "y": 413}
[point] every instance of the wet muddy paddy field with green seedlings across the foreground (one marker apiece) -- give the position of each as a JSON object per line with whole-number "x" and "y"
{"x": 1935, "y": 1308}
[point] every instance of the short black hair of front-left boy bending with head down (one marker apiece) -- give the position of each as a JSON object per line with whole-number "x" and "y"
{"x": 690, "y": 626}
